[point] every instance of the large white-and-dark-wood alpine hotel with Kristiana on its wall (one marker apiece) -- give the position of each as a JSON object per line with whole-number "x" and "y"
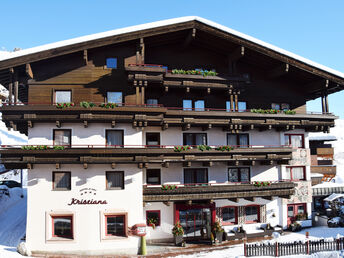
{"x": 178, "y": 120}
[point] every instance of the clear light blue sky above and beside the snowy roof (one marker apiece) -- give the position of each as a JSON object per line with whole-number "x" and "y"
{"x": 313, "y": 29}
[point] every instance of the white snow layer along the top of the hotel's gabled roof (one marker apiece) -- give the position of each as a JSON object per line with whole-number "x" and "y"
{"x": 166, "y": 23}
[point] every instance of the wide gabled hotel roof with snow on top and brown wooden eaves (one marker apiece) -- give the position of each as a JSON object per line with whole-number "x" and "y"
{"x": 34, "y": 54}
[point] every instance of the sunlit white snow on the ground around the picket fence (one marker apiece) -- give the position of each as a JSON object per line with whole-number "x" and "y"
{"x": 314, "y": 233}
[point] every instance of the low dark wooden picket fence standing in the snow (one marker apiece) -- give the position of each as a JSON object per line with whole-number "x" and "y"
{"x": 299, "y": 247}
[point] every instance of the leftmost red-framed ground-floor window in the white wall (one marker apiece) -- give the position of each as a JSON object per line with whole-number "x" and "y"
{"x": 62, "y": 226}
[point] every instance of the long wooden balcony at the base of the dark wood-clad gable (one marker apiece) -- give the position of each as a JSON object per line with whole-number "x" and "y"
{"x": 20, "y": 117}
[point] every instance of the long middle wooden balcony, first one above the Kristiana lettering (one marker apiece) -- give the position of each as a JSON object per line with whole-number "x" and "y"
{"x": 14, "y": 157}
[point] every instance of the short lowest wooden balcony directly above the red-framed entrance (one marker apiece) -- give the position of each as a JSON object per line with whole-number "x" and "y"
{"x": 220, "y": 191}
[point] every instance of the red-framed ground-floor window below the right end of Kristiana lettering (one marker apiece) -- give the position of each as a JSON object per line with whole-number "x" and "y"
{"x": 115, "y": 225}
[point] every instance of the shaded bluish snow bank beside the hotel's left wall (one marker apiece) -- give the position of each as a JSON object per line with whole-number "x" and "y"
{"x": 12, "y": 221}
